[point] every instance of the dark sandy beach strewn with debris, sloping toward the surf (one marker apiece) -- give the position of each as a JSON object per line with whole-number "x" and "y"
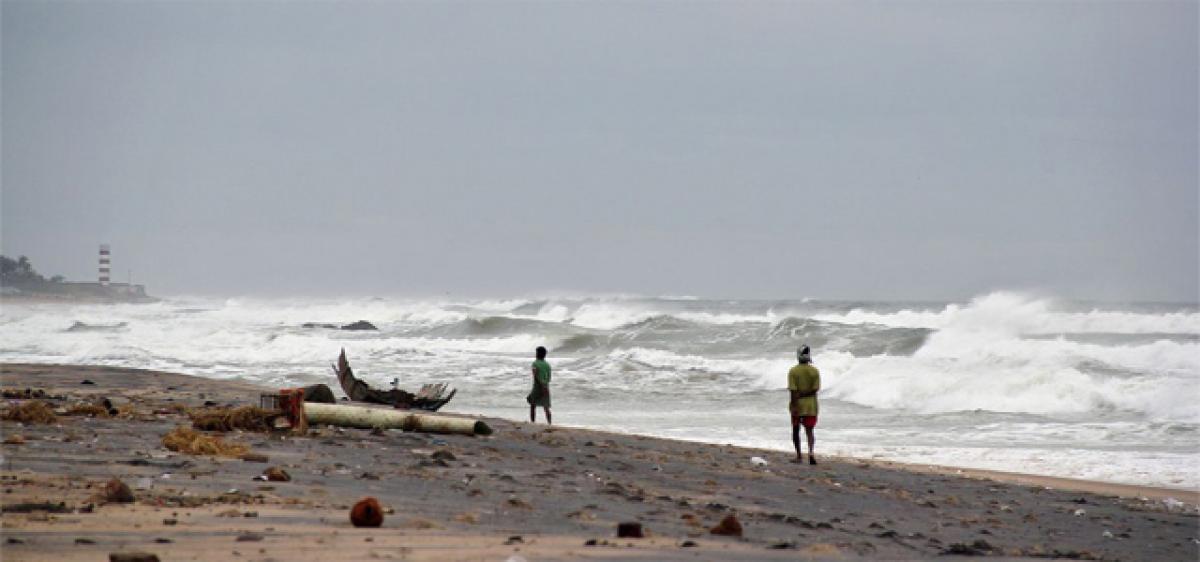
{"x": 525, "y": 493}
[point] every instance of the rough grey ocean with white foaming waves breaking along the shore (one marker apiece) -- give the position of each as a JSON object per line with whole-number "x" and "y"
{"x": 1005, "y": 381}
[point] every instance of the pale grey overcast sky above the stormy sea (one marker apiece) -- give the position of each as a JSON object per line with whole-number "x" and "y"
{"x": 884, "y": 151}
